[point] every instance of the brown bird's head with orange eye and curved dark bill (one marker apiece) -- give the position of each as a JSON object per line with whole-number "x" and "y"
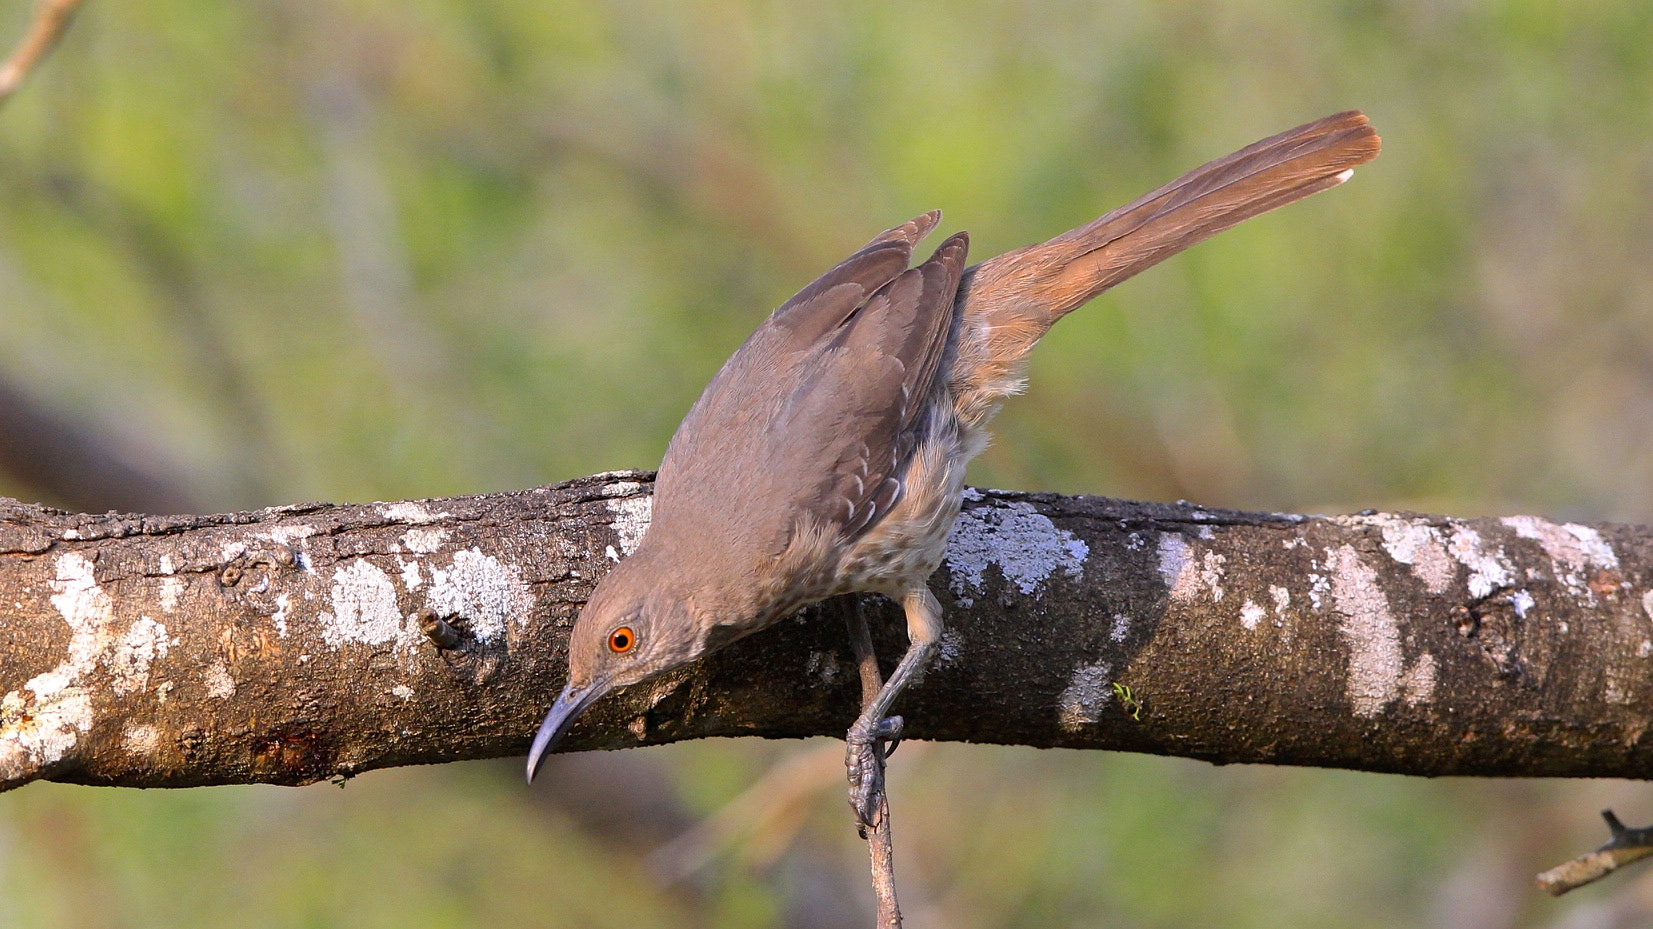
{"x": 631, "y": 631}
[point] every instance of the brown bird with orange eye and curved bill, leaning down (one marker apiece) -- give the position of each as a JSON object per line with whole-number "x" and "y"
{"x": 827, "y": 457}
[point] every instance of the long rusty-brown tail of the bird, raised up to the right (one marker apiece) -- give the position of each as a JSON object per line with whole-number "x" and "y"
{"x": 1011, "y": 302}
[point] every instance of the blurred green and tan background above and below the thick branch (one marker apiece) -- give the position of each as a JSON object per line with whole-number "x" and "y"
{"x": 267, "y": 252}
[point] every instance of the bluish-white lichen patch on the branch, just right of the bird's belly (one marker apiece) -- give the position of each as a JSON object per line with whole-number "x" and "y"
{"x": 1027, "y": 548}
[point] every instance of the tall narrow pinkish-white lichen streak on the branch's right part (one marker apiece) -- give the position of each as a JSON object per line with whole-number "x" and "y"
{"x": 1370, "y": 631}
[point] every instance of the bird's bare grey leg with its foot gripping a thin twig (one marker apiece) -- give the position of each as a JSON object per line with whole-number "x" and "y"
{"x": 865, "y": 755}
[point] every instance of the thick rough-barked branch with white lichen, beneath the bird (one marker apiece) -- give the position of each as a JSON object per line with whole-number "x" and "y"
{"x": 287, "y": 646}
